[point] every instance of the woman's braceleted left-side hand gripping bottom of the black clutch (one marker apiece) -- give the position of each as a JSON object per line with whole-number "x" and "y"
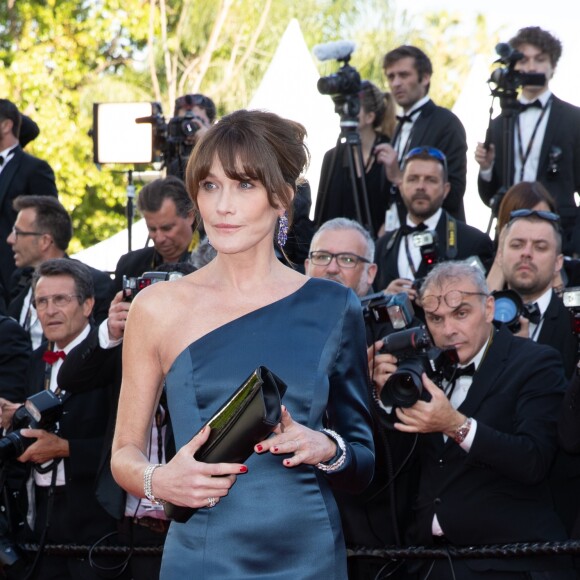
{"x": 184, "y": 481}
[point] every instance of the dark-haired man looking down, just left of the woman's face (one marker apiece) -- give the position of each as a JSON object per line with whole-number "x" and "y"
{"x": 168, "y": 212}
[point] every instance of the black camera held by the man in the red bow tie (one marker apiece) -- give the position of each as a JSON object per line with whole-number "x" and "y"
{"x": 40, "y": 411}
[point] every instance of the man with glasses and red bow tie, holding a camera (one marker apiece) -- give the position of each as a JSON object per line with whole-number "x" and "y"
{"x": 62, "y": 465}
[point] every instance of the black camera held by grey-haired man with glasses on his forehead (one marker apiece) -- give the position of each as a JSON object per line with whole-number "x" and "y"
{"x": 416, "y": 354}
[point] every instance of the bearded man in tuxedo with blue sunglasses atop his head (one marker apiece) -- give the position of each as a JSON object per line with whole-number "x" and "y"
{"x": 424, "y": 188}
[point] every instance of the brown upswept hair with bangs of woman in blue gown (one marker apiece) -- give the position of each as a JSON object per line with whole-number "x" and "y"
{"x": 253, "y": 145}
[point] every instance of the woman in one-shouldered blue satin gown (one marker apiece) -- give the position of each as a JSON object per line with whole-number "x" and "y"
{"x": 201, "y": 336}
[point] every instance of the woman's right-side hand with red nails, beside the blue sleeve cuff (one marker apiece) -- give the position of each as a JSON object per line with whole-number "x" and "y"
{"x": 308, "y": 446}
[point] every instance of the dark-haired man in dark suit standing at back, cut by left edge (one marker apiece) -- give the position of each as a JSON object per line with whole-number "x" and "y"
{"x": 20, "y": 174}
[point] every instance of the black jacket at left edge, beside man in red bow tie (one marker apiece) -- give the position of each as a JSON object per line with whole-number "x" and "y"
{"x": 14, "y": 359}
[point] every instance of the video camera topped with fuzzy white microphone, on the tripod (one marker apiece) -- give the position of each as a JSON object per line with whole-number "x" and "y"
{"x": 343, "y": 86}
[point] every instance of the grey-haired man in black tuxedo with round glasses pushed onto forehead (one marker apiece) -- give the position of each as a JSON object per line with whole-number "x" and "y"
{"x": 488, "y": 435}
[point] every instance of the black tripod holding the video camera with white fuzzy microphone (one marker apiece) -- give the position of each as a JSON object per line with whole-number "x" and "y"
{"x": 348, "y": 107}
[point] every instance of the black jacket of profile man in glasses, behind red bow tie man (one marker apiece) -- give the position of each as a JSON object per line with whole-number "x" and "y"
{"x": 22, "y": 279}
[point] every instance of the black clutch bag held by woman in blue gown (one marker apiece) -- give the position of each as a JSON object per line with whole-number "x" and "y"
{"x": 245, "y": 419}
